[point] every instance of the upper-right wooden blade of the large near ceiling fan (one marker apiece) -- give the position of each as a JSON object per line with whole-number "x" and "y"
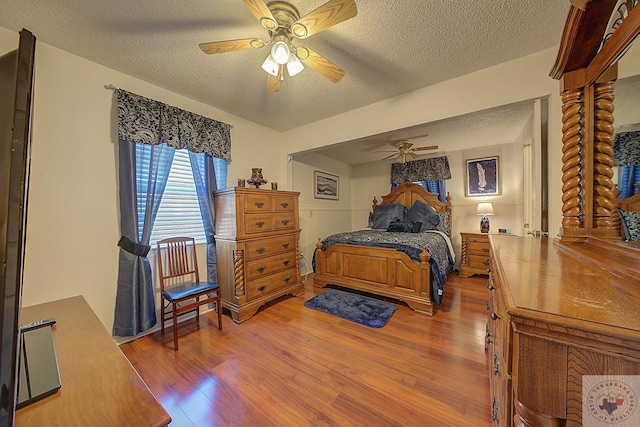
{"x": 329, "y": 14}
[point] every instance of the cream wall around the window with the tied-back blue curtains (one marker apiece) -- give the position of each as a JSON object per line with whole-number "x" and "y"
{"x": 73, "y": 217}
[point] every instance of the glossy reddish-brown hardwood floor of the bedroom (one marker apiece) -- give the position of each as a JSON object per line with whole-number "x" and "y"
{"x": 293, "y": 366}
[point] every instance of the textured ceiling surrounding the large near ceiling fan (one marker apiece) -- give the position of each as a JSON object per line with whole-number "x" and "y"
{"x": 389, "y": 48}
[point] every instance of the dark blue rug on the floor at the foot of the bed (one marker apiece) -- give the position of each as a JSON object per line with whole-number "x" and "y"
{"x": 356, "y": 308}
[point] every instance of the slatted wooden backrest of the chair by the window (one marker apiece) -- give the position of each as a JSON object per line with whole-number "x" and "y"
{"x": 177, "y": 261}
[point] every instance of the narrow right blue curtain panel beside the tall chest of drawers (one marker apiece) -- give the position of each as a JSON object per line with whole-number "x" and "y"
{"x": 204, "y": 176}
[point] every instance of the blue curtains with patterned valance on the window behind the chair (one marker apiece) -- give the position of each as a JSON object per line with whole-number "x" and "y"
{"x": 153, "y": 131}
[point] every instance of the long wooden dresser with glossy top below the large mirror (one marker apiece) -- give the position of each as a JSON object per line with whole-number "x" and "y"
{"x": 554, "y": 318}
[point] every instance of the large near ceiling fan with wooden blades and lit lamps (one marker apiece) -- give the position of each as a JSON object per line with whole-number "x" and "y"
{"x": 284, "y": 24}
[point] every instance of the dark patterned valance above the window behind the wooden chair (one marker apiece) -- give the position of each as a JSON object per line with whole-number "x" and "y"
{"x": 147, "y": 121}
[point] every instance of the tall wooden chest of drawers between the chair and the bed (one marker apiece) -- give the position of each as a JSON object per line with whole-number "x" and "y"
{"x": 257, "y": 234}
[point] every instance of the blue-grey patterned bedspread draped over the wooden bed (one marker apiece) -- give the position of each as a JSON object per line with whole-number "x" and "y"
{"x": 411, "y": 244}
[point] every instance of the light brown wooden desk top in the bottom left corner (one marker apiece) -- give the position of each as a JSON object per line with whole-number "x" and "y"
{"x": 99, "y": 385}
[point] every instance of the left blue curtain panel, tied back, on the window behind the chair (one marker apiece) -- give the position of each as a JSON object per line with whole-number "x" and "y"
{"x": 141, "y": 190}
